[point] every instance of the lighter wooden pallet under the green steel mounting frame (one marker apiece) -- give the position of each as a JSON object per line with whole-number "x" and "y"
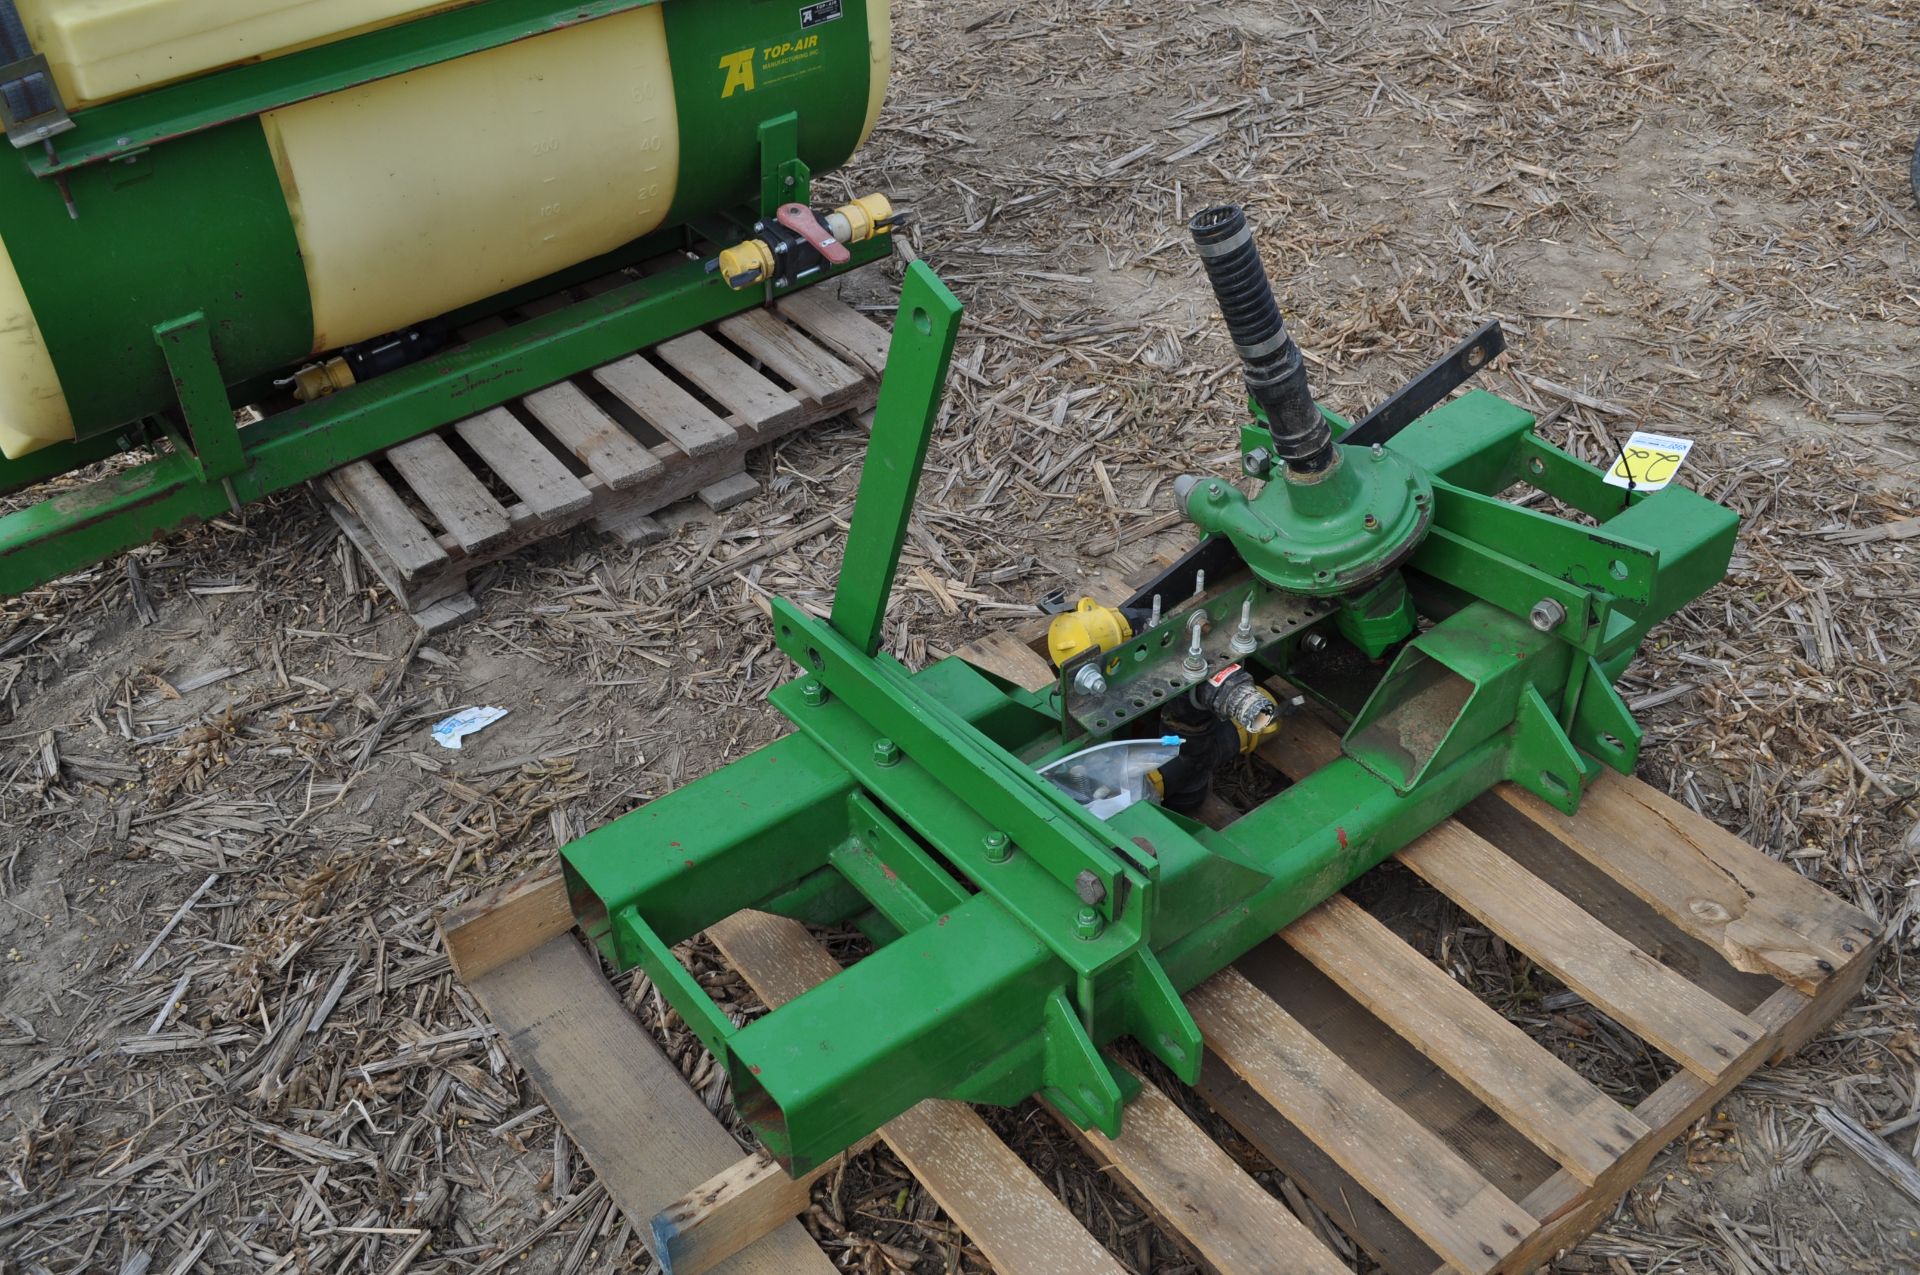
{"x": 1431, "y": 1132}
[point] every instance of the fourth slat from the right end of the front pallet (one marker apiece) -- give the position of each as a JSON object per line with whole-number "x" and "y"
{"x": 1395, "y": 1157}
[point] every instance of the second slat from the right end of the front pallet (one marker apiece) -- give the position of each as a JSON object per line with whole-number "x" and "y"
{"x": 1685, "y": 1022}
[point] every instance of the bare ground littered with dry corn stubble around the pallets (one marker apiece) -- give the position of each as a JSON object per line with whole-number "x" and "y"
{"x": 1692, "y": 218}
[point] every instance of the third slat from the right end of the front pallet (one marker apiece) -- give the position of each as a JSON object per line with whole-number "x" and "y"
{"x": 1500, "y": 1065}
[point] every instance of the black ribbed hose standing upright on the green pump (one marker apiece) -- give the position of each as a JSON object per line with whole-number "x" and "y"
{"x": 1274, "y": 370}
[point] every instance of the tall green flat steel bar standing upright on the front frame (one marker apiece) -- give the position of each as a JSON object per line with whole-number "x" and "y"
{"x": 923, "y": 349}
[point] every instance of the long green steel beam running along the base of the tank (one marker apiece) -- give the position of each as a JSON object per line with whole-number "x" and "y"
{"x": 85, "y": 525}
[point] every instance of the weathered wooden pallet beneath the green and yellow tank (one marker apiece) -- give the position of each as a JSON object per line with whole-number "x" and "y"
{"x": 610, "y": 448}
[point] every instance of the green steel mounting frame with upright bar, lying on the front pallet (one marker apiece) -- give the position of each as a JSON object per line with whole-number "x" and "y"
{"x": 1017, "y": 936}
